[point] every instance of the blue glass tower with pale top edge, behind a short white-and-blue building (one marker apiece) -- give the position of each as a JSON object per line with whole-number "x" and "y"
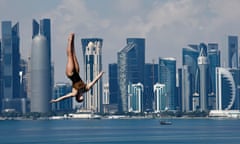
{"x": 167, "y": 76}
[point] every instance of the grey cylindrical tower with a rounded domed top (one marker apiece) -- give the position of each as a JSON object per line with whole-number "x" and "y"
{"x": 40, "y": 75}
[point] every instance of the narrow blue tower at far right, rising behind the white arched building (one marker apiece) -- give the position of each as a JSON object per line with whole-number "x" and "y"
{"x": 233, "y": 51}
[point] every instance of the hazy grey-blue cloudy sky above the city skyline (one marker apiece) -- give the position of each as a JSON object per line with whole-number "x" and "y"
{"x": 167, "y": 25}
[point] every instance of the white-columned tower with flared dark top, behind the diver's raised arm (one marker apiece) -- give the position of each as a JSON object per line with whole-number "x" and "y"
{"x": 92, "y": 53}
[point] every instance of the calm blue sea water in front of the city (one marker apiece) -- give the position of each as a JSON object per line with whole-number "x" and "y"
{"x": 185, "y": 131}
